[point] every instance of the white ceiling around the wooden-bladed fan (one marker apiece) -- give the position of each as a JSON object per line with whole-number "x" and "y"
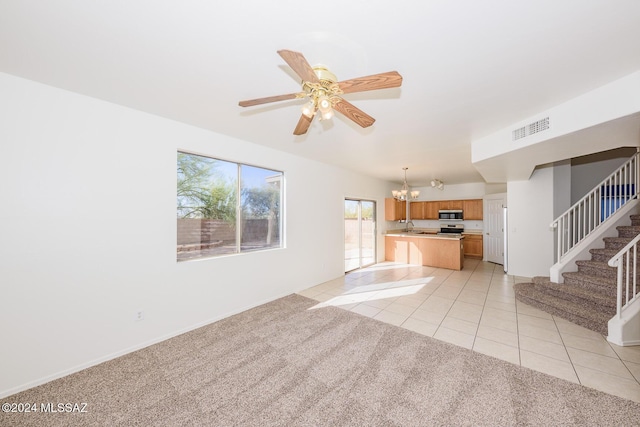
{"x": 470, "y": 67}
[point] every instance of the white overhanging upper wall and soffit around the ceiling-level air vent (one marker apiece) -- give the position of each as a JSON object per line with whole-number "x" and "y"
{"x": 602, "y": 119}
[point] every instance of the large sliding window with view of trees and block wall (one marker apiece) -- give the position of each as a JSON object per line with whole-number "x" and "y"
{"x": 226, "y": 208}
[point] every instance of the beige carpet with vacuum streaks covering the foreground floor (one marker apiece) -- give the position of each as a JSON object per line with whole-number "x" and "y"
{"x": 282, "y": 364}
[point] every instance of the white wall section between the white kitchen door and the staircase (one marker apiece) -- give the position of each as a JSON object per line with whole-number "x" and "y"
{"x": 530, "y": 212}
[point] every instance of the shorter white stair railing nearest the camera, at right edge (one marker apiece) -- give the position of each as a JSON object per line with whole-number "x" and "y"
{"x": 626, "y": 261}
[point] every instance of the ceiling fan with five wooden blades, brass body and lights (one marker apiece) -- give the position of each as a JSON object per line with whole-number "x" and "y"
{"x": 323, "y": 92}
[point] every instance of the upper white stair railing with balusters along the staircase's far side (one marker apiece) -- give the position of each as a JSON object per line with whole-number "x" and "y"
{"x": 597, "y": 206}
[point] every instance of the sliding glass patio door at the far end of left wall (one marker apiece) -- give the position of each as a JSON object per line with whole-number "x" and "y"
{"x": 359, "y": 233}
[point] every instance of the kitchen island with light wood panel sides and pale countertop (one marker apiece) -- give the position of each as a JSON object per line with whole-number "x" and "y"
{"x": 425, "y": 248}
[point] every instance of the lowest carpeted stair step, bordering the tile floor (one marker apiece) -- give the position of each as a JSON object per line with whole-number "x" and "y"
{"x": 536, "y": 296}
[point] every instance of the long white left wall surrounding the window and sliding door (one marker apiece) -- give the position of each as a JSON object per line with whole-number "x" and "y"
{"x": 89, "y": 232}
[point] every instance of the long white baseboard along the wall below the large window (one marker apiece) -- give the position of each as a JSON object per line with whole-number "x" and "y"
{"x": 83, "y": 366}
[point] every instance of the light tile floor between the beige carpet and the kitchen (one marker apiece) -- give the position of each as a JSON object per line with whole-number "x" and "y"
{"x": 475, "y": 308}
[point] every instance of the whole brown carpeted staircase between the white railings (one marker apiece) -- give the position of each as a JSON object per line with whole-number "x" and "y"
{"x": 588, "y": 296}
